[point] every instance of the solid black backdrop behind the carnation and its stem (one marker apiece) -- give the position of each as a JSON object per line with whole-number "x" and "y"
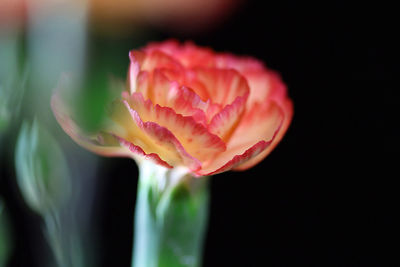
{"x": 322, "y": 198}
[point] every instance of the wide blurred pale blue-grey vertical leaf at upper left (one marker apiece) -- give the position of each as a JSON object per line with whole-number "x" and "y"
{"x": 55, "y": 44}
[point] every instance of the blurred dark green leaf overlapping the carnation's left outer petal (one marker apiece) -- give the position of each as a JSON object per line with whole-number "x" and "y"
{"x": 108, "y": 62}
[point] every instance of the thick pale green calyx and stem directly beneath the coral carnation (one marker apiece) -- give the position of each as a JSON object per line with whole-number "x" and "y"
{"x": 170, "y": 217}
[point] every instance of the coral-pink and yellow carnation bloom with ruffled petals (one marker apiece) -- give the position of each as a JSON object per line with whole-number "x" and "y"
{"x": 189, "y": 106}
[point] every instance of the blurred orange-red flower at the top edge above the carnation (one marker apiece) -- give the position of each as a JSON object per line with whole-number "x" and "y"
{"x": 178, "y": 15}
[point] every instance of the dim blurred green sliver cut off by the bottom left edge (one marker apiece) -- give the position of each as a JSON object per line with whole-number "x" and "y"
{"x": 5, "y": 236}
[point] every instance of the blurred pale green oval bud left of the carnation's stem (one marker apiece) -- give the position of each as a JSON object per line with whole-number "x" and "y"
{"x": 41, "y": 168}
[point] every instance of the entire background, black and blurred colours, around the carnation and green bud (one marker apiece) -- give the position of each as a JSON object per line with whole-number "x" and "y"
{"x": 320, "y": 199}
